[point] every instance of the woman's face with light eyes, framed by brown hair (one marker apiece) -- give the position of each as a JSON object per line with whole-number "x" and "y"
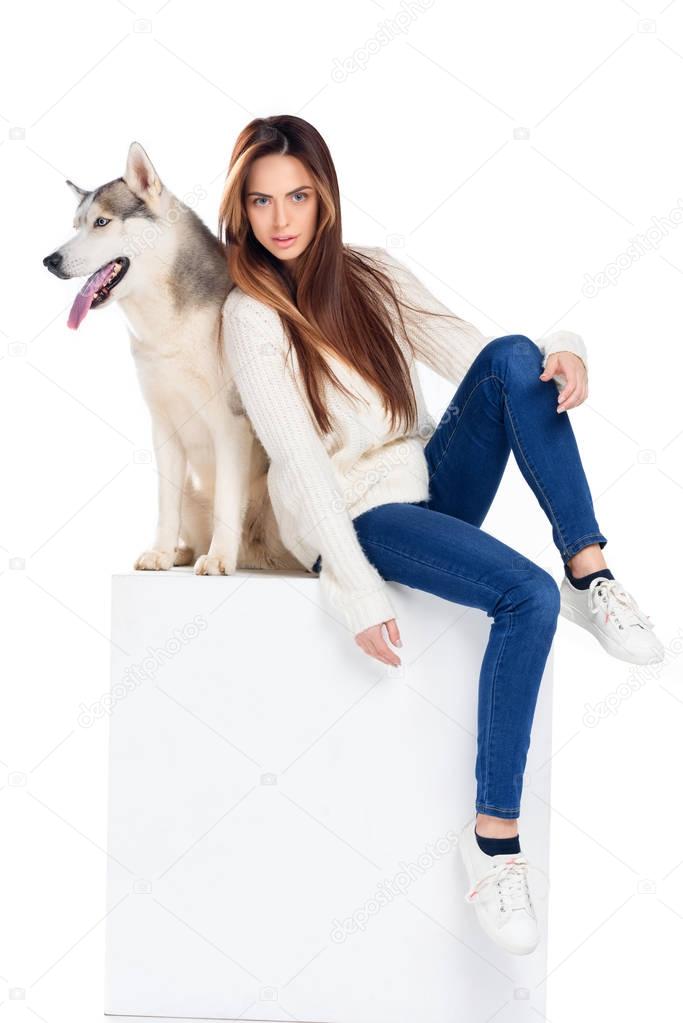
{"x": 282, "y": 203}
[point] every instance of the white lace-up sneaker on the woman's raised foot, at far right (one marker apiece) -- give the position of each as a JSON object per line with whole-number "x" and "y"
{"x": 608, "y": 611}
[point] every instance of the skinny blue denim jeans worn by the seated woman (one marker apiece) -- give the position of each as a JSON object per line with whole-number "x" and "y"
{"x": 437, "y": 546}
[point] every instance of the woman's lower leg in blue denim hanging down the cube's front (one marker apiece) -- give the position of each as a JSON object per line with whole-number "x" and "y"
{"x": 452, "y": 559}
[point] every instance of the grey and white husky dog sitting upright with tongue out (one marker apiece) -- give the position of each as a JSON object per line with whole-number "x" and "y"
{"x": 144, "y": 248}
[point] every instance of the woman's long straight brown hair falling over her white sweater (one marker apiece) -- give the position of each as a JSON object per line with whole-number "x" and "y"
{"x": 334, "y": 301}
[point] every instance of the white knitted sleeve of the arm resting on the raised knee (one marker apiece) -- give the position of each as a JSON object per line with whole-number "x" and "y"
{"x": 450, "y": 346}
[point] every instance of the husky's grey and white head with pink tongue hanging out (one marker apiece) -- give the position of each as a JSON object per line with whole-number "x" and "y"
{"x": 114, "y": 226}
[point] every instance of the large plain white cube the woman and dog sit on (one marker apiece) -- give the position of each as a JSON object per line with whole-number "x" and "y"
{"x": 284, "y": 811}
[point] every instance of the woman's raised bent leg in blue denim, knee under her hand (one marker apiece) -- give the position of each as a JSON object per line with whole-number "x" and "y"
{"x": 502, "y": 407}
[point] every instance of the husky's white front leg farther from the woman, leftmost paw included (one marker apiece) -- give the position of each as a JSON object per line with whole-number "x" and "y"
{"x": 171, "y": 467}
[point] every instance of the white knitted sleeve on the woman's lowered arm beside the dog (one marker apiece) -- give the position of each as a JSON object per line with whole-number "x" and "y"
{"x": 301, "y": 482}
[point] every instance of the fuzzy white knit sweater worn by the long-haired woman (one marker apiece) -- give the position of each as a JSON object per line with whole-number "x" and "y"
{"x": 320, "y": 483}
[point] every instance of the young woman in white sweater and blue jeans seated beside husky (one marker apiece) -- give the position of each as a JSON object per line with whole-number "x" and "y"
{"x": 323, "y": 340}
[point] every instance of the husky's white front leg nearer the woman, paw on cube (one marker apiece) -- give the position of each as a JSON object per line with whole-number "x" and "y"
{"x": 233, "y": 444}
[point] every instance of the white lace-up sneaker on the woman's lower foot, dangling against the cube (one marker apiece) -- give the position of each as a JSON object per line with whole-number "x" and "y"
{"x": 499, "y": 892}
